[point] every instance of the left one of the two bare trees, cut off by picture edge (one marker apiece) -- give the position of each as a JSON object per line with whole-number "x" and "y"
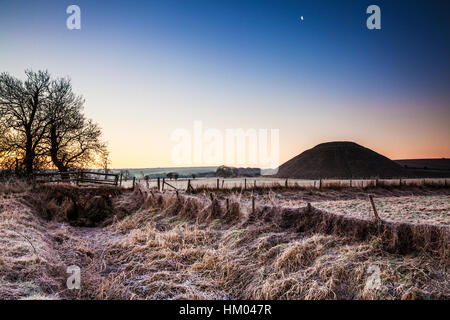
{"x": 22, "y": 117}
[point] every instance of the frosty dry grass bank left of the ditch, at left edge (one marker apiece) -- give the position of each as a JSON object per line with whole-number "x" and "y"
{"x": 29, "y": 267}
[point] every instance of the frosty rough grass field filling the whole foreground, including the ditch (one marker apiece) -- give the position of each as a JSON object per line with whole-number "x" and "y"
{"x": 145, "y": 244}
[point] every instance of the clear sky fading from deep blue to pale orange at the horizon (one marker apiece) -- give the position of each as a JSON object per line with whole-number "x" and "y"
{"x": 148, "y": 68}
